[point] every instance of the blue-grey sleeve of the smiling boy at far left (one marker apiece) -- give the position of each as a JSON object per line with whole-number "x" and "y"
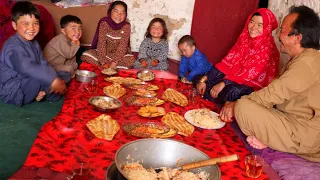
{"x": 19, "y": 60}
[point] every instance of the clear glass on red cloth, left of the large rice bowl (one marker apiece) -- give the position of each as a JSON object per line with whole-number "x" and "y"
{"x": 80, "y": 171}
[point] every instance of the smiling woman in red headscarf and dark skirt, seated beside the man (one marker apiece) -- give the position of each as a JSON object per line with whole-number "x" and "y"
{"x": 250, "y": 65}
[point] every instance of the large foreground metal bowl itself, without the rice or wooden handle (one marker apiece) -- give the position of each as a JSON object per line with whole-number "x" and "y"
{"x": 157, "y": 153}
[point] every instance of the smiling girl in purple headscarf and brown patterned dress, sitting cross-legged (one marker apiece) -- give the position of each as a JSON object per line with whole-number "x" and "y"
{"x": 110, "y": 46}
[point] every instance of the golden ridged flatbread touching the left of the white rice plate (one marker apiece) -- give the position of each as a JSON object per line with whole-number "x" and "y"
{"x": 175, "y": 121}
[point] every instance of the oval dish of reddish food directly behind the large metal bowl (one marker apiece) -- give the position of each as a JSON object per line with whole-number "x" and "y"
{"x": 148, "y": 130}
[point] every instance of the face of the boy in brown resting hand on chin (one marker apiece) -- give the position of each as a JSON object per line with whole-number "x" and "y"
{"x": 73, "y": 31}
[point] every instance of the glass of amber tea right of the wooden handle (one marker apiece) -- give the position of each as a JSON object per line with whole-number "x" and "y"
{"x": 254, "y": 165}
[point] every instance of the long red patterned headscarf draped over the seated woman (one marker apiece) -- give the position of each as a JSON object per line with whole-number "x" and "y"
{"x": 253, "y": 61}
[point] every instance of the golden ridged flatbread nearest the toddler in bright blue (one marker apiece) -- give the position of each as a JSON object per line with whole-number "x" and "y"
{"x": 175, "y": 97}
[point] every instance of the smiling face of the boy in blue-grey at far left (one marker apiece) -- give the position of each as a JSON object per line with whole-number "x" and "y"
{"x": 27, "y": 27}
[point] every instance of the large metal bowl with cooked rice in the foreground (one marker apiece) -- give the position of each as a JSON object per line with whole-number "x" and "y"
{"x": 154, "y": 159}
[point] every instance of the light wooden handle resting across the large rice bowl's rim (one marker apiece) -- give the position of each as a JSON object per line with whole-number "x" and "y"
{"x": 209, "y": 162}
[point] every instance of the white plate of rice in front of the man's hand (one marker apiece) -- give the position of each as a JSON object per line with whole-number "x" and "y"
{"x": 204, "y": 118}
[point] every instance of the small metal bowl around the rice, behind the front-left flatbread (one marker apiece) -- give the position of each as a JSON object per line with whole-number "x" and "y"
{"x": 107, "y": 99}
